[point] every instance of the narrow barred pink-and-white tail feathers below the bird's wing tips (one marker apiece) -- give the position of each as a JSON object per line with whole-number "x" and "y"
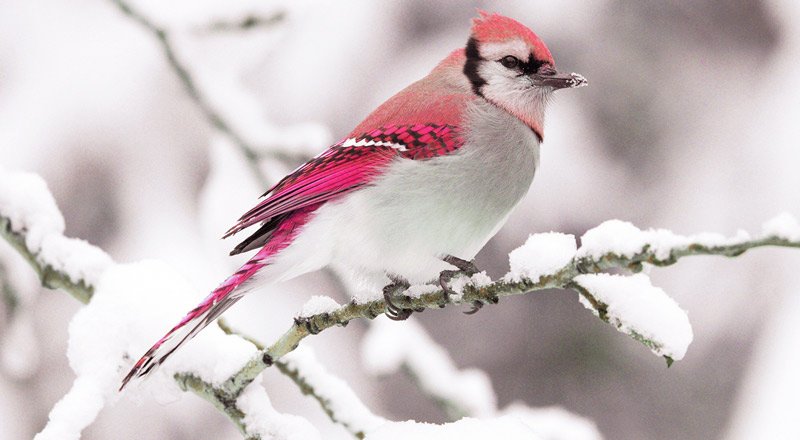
{"x": 209, "y": 309}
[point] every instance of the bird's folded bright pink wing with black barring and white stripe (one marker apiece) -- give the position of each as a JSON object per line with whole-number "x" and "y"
{"x": 344, "y": 167}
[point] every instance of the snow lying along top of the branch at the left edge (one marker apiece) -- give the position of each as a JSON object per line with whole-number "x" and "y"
{"x": 31, "y": 209}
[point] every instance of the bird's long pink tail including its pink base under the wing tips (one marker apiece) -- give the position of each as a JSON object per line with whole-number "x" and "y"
{"x": 274, "y": 239}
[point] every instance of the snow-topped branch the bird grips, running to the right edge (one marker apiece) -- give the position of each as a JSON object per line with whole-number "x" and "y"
{"x": 551, "y": 260}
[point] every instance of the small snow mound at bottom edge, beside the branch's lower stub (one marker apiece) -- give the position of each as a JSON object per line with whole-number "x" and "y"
{"x": 264, "y": 421}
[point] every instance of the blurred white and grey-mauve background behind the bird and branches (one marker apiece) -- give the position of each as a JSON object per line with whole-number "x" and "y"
{"x": 689, "y": 123}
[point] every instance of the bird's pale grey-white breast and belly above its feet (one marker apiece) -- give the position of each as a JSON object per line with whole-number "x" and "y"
{"x": 419, "y": 211}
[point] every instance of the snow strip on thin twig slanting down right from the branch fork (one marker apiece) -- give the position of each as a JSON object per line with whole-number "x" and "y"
{"x": 347, "y": 408}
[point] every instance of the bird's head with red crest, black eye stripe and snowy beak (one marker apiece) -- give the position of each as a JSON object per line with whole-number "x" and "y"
{"x": 511, "y": 67}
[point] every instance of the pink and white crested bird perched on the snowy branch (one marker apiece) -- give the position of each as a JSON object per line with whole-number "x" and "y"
{"x": 414, "y": 191}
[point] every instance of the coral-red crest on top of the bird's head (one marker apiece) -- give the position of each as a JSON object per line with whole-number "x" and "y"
{"x": 496, "y": 28}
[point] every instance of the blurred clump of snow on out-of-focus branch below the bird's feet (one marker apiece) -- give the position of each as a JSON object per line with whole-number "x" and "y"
{"x": 389, "y": 345}
